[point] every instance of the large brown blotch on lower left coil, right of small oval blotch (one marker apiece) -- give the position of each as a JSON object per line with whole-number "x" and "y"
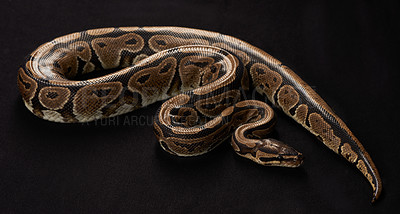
{"x": 90, "y": 99}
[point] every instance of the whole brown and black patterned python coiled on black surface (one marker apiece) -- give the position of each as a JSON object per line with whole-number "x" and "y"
{"x": 203, "y": 73}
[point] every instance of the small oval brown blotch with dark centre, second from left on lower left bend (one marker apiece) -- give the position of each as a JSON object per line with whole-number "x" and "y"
{"x": 54, "y": 98}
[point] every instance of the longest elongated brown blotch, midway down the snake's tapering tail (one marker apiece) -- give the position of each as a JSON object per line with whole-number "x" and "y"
{"x": 322, "y": 129}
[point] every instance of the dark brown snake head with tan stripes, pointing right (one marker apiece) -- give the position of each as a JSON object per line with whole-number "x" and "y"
{"x": 271, "y": 152}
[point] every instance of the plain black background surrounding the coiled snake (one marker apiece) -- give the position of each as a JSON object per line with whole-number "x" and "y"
{"x": 345, "y": 50}
